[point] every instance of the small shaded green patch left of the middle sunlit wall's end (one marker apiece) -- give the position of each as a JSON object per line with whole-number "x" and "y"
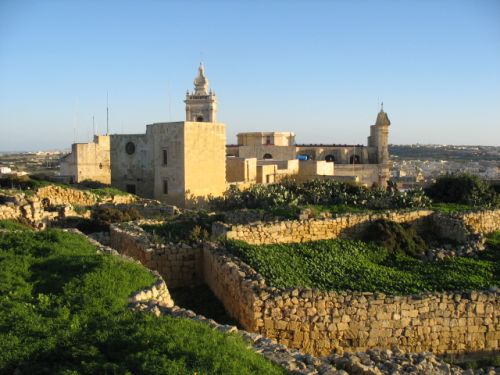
{"x": 191, "y": 227}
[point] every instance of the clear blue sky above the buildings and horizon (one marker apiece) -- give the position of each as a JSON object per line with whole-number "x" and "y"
{"x": 317, "y": 68}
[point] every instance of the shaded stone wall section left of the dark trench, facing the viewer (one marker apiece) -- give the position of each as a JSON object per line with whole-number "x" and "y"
{"x": 179, "y": 264}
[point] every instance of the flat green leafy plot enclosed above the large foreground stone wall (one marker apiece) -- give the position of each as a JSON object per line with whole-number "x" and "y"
{"x": 352, "y": 265}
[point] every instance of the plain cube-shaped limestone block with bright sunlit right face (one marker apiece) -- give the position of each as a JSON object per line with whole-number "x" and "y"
{"x": 189, "y": 160}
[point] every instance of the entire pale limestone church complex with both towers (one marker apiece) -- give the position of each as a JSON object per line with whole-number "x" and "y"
{"x": 183, "y": 163}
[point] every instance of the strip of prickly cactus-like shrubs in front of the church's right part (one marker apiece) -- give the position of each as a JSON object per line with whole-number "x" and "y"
{"x": 318, "y": 192}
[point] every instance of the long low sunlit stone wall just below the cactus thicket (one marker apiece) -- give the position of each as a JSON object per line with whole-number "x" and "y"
{"x": 309, "y": 230}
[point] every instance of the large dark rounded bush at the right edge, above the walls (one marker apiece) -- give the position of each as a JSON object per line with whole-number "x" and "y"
{"x": 463, "y": 189}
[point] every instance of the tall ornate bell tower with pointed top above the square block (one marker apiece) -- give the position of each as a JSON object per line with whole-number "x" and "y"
{"x": 201, "y": 104}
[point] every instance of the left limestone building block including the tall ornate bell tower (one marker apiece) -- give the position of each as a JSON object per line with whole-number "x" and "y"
{"x": 179, "y": 163}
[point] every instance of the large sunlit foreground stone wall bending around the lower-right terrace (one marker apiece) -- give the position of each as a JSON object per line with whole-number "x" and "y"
{"x": 320, "y": 322}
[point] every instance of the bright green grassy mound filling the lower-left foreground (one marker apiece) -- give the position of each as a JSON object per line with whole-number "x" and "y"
{"x": 63, "y": 310}
